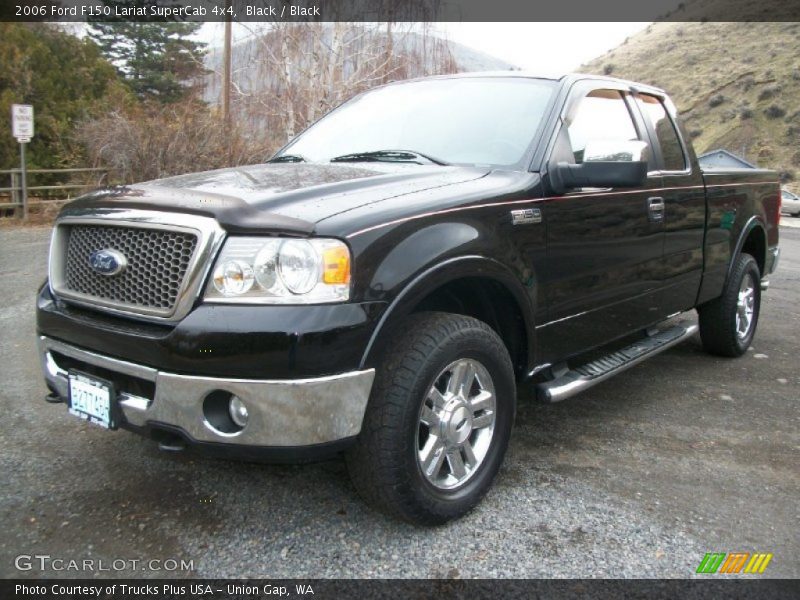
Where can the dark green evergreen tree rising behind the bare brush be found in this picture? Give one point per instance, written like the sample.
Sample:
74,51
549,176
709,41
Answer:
157,60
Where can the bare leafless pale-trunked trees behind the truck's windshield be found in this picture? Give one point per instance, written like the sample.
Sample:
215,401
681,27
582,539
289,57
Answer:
296,72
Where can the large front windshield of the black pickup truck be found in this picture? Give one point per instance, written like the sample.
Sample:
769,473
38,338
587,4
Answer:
463,121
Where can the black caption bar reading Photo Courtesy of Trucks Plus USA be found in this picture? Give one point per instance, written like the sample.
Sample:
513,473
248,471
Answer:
439,589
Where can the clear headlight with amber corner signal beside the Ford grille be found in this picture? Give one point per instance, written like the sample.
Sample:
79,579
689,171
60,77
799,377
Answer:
280,271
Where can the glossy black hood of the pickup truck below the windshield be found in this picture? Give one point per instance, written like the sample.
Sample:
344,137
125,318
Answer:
278,197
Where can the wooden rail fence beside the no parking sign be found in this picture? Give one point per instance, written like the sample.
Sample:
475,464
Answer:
43,194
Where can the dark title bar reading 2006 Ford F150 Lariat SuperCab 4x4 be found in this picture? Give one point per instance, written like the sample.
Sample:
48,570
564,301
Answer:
399,10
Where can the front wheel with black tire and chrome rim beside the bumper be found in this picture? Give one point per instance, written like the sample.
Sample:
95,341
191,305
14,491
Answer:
438,421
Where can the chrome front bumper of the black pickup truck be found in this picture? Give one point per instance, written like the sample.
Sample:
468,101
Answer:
282,413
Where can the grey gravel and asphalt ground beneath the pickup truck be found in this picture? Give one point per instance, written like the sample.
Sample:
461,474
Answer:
638,477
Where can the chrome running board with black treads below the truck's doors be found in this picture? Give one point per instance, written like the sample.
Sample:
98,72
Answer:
582,378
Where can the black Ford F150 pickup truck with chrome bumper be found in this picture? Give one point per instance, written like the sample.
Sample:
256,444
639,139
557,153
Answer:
384,283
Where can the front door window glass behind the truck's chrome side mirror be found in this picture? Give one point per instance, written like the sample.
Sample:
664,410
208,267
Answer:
602,115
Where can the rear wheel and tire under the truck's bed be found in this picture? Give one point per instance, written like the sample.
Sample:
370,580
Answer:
728,323
